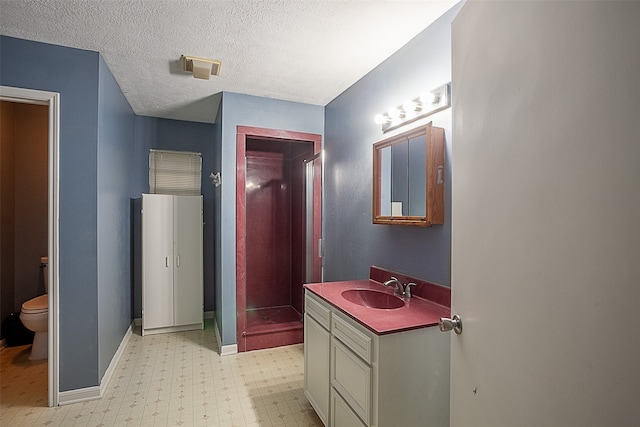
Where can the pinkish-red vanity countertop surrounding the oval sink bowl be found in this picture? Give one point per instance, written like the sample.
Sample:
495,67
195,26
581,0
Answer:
416,313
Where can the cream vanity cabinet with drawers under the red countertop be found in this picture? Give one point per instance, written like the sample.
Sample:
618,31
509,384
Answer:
396,379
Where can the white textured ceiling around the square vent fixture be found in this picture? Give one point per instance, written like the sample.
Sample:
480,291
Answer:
295,50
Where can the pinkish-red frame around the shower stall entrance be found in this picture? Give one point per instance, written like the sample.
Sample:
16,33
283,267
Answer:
242,134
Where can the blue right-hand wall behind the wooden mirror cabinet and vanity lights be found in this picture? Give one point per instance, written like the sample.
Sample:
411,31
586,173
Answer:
352,242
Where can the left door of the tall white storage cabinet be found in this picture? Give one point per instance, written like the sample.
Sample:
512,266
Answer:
157,261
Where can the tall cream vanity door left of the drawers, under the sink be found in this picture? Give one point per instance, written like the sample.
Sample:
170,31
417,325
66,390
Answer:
316,366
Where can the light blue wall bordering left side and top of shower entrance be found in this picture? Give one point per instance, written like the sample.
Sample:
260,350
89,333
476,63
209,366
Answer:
253,111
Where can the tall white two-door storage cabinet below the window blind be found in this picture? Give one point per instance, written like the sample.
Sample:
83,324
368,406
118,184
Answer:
172,270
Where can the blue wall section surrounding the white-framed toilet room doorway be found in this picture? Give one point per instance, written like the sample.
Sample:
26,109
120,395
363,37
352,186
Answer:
73,73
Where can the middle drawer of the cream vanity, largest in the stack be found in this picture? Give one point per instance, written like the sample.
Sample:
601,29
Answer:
351,377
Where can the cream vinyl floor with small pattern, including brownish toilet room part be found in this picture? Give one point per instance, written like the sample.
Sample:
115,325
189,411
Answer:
168,379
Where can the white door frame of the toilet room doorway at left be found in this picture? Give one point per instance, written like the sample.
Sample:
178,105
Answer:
52,101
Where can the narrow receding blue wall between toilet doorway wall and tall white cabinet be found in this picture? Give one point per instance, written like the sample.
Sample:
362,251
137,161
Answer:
116,122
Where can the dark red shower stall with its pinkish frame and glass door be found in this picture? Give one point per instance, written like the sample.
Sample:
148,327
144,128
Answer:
278,234
